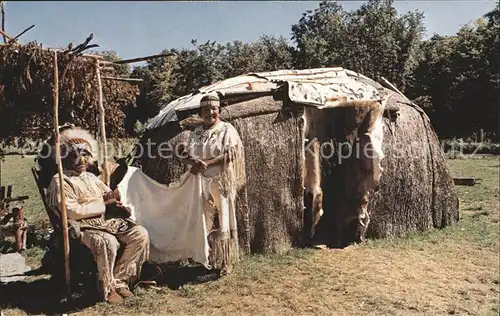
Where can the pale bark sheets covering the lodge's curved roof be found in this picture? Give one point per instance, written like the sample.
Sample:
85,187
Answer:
309,86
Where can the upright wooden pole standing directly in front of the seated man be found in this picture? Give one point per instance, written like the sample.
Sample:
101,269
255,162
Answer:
64,216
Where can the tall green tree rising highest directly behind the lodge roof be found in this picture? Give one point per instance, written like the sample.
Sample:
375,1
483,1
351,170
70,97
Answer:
372,40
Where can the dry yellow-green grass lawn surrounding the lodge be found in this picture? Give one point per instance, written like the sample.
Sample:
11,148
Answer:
453,271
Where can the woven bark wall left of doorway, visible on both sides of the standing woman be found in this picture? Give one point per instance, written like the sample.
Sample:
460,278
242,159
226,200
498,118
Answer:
273,140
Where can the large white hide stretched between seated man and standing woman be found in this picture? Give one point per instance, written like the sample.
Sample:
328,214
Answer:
173,215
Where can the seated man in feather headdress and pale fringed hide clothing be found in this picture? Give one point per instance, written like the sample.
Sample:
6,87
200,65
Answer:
87,199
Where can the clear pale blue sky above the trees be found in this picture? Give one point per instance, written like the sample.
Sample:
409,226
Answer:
141,28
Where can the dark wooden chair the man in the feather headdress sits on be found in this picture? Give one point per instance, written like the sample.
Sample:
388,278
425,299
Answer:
82,265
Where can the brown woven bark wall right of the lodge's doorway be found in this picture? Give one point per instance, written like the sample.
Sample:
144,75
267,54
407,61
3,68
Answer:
417,190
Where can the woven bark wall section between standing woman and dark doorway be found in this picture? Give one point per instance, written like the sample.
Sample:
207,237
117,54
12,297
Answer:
274,155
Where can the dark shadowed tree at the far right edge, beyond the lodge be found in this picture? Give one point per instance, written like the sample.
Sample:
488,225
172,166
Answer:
459,75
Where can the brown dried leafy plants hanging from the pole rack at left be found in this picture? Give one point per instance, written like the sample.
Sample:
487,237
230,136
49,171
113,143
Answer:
26,83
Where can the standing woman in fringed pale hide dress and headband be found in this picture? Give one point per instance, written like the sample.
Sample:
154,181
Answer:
216,152
